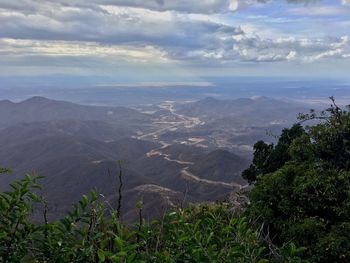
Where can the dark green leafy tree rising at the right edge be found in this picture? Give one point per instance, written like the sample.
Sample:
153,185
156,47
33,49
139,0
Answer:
306,197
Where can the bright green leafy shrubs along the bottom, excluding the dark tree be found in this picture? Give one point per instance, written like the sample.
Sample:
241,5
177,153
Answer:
92,232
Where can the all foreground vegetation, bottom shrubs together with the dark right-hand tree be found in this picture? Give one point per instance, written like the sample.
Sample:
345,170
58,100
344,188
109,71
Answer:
299,211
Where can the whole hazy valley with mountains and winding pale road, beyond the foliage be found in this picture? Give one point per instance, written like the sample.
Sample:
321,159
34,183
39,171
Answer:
173,152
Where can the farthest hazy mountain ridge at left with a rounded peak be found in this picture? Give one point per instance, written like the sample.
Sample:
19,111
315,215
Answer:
38,109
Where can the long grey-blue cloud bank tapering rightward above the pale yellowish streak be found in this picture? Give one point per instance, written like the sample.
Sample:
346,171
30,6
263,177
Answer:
117,26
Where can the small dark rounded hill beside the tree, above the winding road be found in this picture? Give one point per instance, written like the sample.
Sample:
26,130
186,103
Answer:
222,166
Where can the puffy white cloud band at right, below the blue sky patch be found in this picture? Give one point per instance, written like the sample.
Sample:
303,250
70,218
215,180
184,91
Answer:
252,48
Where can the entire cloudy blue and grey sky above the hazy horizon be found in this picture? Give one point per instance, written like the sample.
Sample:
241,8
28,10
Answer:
168,41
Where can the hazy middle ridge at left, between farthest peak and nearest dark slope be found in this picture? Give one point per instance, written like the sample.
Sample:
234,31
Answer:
33,153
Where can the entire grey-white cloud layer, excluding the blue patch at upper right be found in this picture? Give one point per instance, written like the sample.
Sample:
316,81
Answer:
122,32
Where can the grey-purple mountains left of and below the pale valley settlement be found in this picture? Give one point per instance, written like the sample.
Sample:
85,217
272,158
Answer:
76,148
